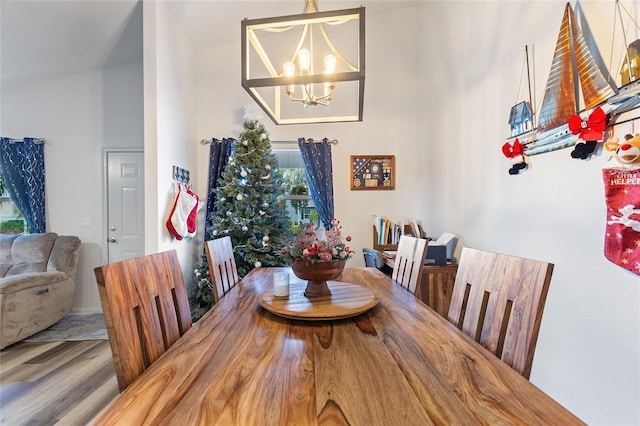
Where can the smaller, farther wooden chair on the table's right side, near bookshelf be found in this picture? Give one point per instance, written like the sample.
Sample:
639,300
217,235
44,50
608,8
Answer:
409,262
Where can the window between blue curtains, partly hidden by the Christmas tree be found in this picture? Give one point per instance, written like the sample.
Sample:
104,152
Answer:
300,206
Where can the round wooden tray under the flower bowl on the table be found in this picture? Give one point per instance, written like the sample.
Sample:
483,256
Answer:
346,300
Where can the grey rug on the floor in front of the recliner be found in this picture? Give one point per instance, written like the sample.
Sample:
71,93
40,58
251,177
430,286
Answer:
73,327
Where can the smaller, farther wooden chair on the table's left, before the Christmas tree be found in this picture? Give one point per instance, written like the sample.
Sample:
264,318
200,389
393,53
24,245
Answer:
222,266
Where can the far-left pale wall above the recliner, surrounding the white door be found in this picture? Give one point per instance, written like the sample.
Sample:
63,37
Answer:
79,115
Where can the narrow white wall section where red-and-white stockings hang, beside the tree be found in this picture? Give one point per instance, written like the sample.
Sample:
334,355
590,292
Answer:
170,126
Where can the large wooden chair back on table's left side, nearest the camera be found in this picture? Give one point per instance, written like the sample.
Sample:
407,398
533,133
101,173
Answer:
146,310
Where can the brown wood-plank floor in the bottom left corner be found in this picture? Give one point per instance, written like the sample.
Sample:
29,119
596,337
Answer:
65,383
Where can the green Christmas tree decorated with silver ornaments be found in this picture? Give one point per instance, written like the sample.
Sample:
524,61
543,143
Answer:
249,207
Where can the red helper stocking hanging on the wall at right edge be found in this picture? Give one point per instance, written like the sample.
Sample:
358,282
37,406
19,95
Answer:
622,237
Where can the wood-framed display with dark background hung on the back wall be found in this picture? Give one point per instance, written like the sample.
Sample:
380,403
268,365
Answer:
372,172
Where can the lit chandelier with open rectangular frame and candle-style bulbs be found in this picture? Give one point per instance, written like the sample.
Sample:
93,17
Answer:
306,68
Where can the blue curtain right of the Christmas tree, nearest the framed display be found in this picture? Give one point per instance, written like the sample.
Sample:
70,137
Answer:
319,170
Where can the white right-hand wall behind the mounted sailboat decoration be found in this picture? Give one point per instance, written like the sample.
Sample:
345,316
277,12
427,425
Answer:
588,352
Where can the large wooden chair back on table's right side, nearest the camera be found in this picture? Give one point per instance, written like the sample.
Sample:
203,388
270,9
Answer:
498,300
